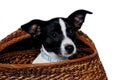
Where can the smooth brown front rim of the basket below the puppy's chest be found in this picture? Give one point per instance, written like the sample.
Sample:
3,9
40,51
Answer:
48,64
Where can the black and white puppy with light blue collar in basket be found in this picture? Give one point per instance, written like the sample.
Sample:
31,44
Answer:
57,36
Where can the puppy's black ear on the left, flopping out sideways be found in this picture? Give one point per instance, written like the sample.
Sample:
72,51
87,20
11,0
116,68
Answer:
33,27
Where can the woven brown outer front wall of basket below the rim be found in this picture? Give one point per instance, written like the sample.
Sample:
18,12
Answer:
74,70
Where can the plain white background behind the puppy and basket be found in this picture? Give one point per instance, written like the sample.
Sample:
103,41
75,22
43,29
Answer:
102,26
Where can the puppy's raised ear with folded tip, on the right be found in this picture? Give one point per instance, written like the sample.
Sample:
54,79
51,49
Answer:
77,18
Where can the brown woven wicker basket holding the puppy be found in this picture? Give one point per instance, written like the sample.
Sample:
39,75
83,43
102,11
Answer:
18,50
